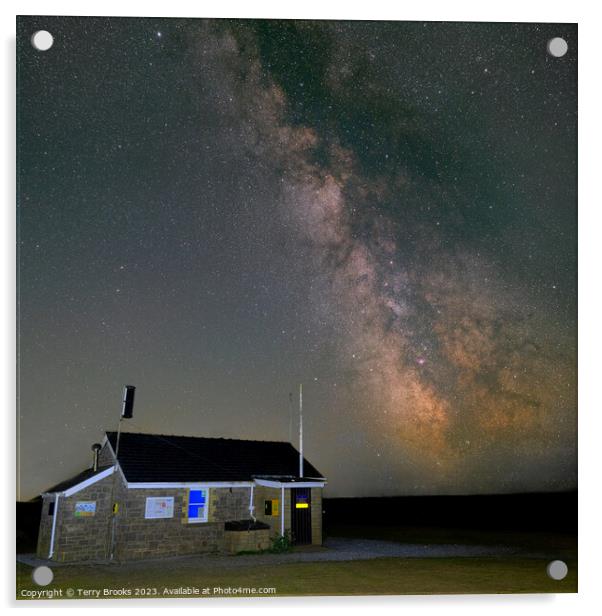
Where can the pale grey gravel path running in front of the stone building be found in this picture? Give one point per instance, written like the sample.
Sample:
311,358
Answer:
334,549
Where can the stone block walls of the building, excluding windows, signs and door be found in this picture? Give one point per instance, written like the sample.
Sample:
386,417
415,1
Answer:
135,537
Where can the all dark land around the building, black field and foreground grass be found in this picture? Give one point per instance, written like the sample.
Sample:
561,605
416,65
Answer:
518,534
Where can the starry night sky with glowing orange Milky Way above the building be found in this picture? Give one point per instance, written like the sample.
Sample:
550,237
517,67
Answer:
218,210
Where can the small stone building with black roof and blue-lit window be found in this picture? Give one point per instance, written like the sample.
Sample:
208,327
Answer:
177,495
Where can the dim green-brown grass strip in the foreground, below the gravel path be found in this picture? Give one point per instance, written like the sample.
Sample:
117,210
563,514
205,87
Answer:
385,576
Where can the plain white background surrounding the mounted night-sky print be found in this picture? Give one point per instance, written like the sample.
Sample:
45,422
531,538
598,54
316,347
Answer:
590,256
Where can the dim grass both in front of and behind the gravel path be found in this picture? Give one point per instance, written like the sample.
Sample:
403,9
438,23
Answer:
383,576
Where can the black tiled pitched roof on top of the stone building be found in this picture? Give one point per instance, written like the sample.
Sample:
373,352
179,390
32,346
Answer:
165,458
